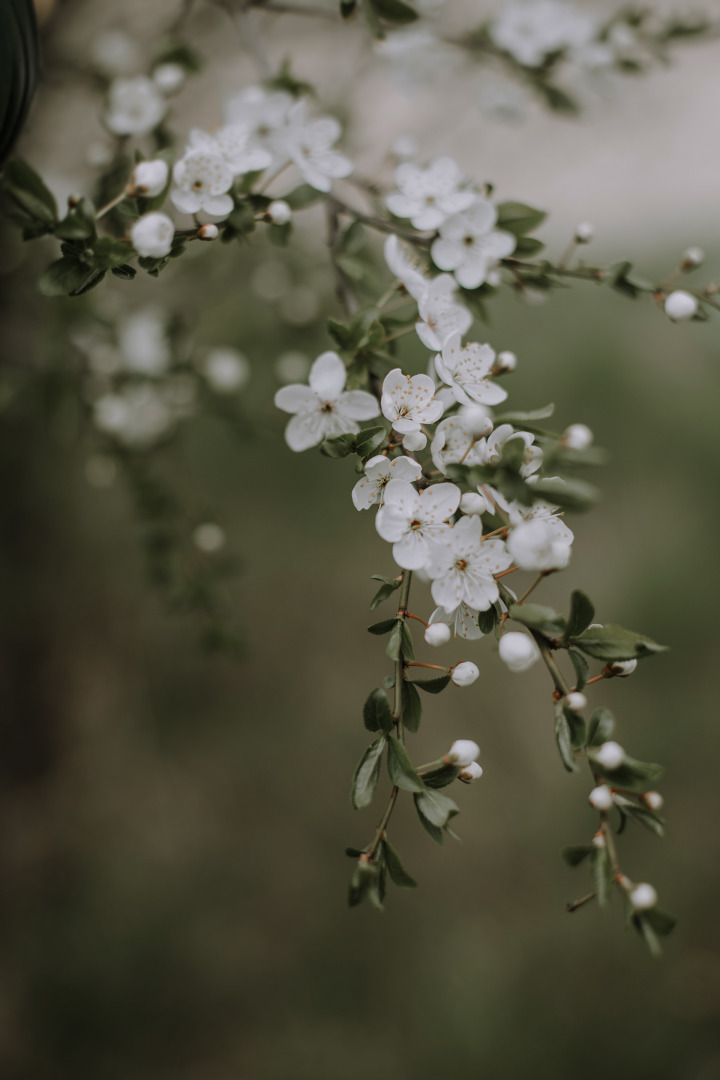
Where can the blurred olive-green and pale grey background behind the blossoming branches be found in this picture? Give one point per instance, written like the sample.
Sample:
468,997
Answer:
172,826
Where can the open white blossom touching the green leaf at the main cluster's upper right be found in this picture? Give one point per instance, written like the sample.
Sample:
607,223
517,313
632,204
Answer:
470,246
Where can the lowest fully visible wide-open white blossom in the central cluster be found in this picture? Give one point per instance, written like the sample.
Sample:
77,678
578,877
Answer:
463,566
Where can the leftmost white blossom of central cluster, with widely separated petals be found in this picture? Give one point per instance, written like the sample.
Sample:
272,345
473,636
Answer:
324,409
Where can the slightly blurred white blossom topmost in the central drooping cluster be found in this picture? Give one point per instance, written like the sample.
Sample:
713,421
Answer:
428,197
